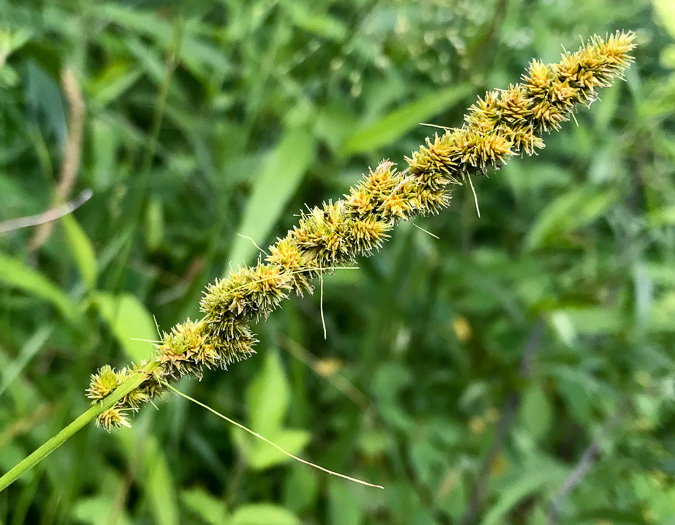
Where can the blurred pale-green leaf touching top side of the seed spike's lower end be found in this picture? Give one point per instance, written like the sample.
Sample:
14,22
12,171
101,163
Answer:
130,323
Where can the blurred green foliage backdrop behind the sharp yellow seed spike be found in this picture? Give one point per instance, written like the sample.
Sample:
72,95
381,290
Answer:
517,370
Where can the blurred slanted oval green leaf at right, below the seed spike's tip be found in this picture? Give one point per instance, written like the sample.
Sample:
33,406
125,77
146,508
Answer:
571,210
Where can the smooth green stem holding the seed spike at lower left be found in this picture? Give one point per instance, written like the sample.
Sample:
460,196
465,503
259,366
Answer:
56,441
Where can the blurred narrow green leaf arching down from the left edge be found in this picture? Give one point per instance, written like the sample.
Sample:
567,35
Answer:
14,273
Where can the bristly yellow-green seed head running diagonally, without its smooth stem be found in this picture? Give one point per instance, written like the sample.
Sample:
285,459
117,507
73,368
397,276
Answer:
501,124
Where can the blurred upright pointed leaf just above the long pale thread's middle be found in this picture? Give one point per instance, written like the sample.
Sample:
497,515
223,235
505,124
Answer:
268,396
